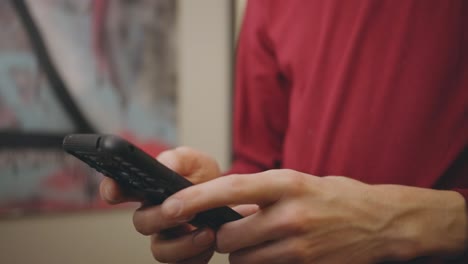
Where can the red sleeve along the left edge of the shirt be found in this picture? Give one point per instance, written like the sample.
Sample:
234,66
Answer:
261,97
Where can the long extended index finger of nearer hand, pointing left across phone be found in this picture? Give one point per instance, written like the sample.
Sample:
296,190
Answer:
261,188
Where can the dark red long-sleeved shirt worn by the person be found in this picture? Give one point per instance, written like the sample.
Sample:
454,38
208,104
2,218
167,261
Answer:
373,90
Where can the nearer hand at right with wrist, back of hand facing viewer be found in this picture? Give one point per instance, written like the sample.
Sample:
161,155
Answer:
301,218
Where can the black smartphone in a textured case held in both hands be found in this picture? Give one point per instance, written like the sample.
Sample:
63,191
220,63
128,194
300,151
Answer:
138,174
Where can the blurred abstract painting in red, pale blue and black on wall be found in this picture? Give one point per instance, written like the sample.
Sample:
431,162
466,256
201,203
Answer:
67,66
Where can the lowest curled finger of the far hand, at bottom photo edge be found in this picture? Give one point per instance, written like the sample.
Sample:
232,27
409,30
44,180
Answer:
182,248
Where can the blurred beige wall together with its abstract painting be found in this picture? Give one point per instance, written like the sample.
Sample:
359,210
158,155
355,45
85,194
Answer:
157,72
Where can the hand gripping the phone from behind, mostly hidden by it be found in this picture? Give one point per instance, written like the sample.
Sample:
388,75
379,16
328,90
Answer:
175,242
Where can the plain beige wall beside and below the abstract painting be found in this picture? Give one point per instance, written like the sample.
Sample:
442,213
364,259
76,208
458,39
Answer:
109,237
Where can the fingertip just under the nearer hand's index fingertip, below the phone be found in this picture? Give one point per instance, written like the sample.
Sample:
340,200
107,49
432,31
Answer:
149,220
